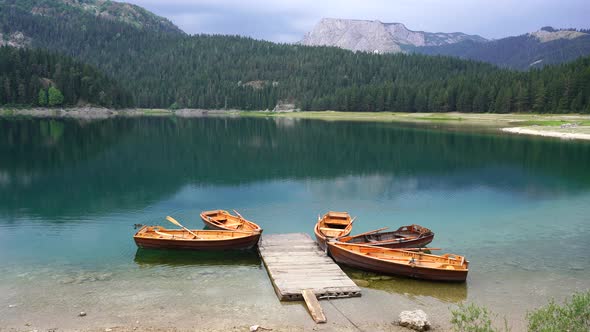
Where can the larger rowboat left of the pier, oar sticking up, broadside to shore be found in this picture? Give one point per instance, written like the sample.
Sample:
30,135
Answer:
160,237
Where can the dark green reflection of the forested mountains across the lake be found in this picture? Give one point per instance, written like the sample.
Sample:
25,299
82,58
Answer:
71,167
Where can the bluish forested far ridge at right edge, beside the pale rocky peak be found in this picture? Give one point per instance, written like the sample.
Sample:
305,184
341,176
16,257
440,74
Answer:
536,49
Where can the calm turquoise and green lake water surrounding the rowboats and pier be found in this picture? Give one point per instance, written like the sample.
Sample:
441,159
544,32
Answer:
71,191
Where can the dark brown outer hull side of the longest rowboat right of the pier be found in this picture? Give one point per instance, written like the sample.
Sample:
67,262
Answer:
391,268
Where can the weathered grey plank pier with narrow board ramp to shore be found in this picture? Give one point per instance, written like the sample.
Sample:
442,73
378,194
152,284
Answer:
295,263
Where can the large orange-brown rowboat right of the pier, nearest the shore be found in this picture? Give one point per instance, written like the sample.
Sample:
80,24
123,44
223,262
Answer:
447,267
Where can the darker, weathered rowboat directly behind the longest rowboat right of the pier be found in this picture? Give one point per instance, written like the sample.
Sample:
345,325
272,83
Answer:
404,237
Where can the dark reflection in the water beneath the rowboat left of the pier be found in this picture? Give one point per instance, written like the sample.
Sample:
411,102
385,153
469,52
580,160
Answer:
163,257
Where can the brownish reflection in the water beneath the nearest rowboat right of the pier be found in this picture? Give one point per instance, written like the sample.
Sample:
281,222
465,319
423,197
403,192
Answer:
447,292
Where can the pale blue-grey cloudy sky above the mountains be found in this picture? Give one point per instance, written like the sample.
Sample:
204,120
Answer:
288,20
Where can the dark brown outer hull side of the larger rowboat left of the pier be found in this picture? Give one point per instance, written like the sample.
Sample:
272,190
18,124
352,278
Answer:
246,242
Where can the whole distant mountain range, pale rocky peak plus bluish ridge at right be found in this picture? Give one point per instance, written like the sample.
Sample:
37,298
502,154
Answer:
536,49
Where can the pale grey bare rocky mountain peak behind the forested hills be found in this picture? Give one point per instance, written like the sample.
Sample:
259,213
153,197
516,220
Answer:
375,36
